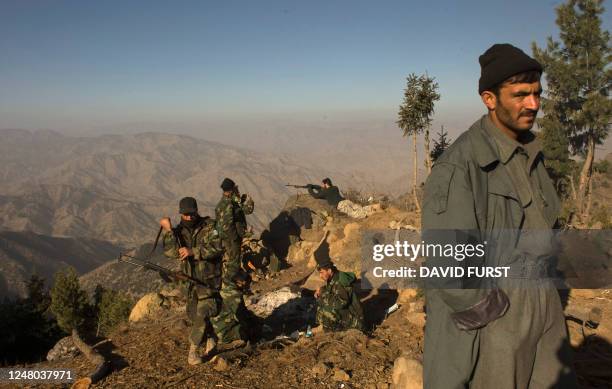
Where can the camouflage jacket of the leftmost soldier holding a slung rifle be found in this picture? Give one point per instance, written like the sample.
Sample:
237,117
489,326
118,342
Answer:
204,241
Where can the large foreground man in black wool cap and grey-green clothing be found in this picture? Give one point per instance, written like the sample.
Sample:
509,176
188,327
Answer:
491,185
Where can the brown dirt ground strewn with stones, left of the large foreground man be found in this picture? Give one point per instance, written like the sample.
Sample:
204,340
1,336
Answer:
153,353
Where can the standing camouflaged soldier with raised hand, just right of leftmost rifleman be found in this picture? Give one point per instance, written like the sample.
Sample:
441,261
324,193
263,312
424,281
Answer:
231,224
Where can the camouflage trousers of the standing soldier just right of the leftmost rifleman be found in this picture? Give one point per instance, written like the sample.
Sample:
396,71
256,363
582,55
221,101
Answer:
226,324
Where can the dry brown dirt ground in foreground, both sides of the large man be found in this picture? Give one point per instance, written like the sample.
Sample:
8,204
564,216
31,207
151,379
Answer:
153,354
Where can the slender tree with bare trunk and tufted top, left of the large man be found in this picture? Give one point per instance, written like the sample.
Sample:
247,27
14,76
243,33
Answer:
415,115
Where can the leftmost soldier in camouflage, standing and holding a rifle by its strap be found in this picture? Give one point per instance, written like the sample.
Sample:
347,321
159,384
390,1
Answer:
196,243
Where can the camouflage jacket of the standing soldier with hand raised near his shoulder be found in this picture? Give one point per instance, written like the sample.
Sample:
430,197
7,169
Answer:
231,220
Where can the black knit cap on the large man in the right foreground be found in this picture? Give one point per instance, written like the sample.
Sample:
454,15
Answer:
502,61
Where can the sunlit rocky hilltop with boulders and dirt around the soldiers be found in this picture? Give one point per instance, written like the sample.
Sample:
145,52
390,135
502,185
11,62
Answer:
150,351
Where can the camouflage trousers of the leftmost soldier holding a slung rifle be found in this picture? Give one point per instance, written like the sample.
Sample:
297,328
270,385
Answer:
200,311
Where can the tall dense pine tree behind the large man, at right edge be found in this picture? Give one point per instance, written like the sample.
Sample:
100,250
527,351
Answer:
576,106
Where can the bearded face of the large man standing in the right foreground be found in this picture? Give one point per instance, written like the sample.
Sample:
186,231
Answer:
517,105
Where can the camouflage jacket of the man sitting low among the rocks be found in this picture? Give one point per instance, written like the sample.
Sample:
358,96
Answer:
339,306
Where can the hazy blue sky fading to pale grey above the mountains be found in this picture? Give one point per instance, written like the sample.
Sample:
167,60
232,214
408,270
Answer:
107,65
